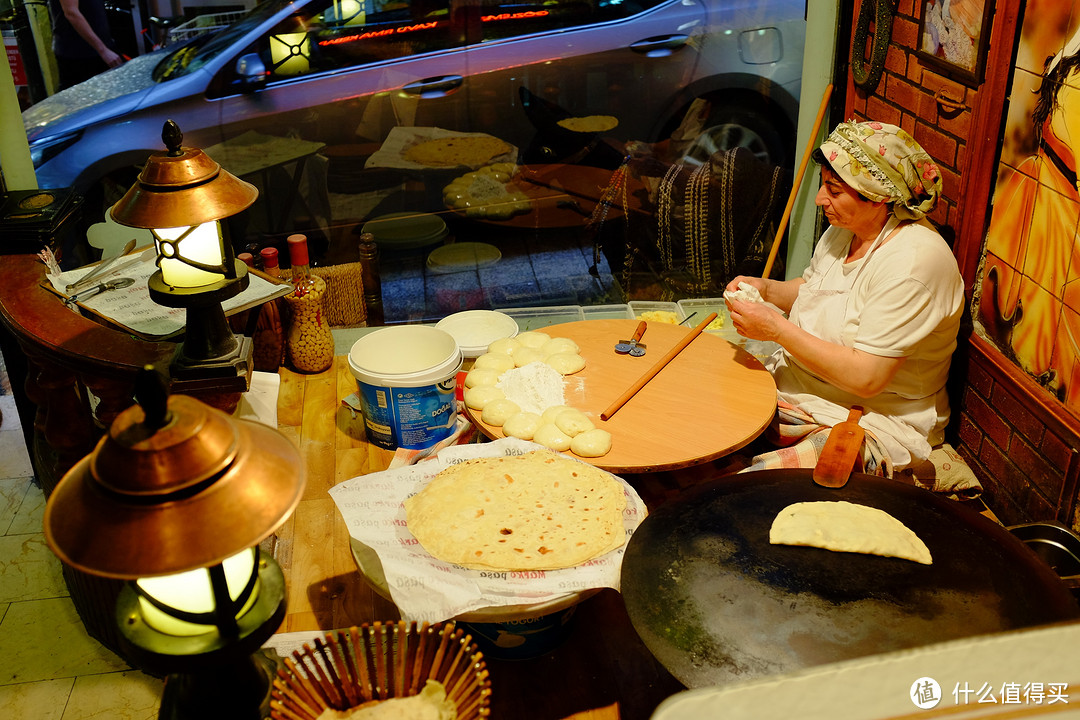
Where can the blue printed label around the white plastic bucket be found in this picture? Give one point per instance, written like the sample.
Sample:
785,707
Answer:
414,418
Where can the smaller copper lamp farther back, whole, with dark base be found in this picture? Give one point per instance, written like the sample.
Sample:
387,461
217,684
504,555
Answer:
181,196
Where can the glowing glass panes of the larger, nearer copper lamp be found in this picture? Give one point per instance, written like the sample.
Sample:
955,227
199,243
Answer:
191,592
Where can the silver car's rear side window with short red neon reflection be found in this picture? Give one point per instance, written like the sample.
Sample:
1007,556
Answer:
507,19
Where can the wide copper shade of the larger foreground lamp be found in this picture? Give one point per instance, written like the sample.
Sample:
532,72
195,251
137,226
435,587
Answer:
172,488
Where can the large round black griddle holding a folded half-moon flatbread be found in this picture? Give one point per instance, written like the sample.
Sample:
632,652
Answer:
715,603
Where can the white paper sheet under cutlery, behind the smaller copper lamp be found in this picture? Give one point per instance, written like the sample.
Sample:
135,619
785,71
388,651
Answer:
131,308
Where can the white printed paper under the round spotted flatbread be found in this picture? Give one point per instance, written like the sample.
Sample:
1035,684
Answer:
428,590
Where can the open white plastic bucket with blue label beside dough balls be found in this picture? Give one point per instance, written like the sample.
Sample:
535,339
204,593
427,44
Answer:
406,377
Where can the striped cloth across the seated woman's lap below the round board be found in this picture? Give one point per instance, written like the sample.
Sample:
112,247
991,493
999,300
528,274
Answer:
800,441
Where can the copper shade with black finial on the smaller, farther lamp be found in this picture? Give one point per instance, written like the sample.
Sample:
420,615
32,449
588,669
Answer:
182,187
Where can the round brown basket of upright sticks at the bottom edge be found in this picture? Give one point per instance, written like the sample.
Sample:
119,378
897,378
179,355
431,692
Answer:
382,661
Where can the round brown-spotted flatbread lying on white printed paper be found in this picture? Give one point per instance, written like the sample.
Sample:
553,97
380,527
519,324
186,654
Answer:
539,511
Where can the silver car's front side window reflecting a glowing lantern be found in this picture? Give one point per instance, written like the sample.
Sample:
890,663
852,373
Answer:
343,34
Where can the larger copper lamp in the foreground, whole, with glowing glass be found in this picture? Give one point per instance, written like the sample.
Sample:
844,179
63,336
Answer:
175,500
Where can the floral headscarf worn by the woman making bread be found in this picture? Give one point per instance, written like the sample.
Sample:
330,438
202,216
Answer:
884,162
